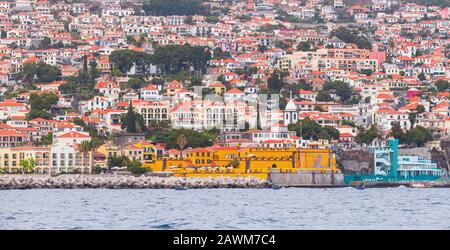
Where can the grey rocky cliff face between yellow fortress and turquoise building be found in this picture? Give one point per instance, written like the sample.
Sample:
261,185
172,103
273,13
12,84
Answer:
355,161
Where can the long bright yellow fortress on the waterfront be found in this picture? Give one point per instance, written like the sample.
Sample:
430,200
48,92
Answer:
236,161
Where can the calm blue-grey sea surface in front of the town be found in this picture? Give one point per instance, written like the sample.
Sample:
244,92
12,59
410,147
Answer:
289,208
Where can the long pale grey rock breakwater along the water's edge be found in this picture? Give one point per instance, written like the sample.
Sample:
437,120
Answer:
125,182
